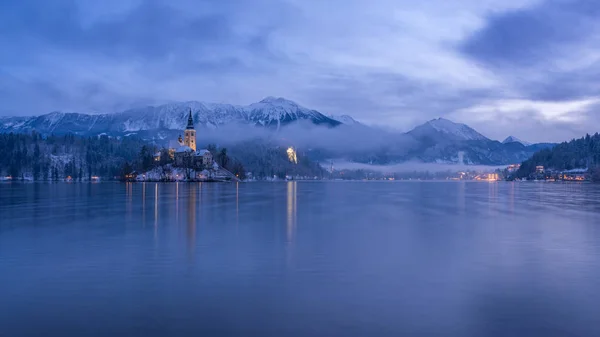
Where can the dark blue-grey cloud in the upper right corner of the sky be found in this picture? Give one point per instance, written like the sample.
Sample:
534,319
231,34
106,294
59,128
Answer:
541,51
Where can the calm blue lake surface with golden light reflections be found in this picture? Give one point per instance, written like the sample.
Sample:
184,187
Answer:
300,259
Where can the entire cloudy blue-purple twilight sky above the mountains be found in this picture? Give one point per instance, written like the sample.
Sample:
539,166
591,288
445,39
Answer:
530,68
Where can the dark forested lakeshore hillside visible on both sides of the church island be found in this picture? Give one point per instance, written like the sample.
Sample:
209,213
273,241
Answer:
53,158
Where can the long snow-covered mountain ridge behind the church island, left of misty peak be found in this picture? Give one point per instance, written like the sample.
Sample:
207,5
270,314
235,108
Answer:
270,112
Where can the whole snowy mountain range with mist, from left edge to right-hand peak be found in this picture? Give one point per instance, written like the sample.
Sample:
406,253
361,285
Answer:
438,140
